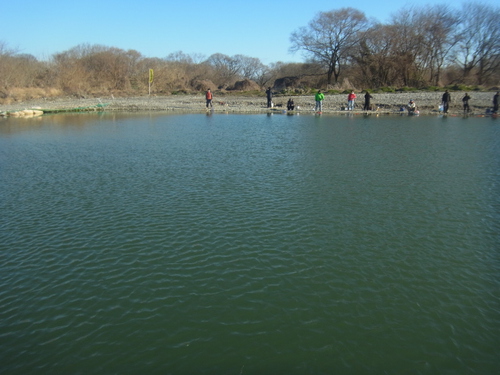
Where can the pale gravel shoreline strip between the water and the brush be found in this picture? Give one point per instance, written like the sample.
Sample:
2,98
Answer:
388,103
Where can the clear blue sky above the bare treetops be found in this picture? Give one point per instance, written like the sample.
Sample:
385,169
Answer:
157,28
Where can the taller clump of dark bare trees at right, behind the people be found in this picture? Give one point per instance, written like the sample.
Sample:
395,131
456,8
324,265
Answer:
432,45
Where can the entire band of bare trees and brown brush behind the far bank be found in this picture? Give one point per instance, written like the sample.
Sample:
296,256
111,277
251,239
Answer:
420,48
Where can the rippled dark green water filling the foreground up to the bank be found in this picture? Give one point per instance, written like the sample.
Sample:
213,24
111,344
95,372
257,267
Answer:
249,244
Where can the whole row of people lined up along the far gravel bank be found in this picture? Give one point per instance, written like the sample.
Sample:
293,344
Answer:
351,99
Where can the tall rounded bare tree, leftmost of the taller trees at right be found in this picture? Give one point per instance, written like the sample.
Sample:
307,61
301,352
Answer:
329,38
